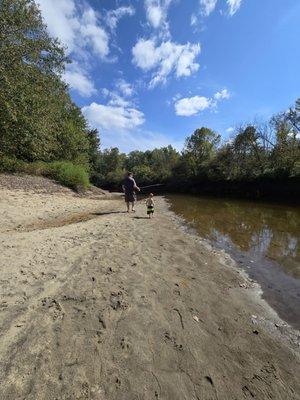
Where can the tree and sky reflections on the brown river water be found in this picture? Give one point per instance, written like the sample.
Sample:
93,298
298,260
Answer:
263,230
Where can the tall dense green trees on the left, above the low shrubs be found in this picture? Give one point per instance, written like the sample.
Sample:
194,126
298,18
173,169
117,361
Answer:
38,120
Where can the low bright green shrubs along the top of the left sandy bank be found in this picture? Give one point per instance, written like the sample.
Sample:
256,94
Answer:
65,172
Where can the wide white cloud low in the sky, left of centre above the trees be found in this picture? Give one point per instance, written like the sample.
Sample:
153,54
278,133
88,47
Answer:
113,117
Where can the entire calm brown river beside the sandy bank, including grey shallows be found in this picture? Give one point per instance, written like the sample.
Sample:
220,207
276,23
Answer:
263,238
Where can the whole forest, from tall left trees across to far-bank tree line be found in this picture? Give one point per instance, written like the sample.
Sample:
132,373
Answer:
42,131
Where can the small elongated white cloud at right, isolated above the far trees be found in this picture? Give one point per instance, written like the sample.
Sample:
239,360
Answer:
189,106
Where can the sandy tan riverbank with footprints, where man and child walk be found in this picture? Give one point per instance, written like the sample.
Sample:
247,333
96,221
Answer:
99,304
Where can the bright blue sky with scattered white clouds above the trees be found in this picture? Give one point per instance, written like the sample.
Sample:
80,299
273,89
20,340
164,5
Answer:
147,73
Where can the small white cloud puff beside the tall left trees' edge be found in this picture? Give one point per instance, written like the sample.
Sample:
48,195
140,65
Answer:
77,79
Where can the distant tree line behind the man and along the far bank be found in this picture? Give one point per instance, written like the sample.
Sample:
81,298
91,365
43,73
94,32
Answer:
256,152
